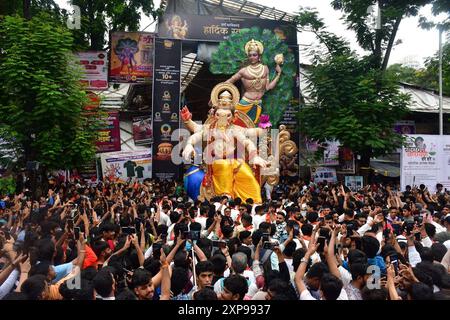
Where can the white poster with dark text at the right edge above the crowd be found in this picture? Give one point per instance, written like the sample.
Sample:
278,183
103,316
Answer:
425,159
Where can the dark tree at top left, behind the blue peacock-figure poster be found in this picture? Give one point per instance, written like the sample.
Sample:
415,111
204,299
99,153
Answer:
98,17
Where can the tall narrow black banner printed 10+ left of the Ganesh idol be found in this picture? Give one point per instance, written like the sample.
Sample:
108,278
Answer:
166,109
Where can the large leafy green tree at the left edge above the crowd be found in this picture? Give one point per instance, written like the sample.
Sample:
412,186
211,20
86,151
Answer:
42,98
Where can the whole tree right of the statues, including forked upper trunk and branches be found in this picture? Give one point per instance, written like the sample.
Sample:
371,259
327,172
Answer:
353,100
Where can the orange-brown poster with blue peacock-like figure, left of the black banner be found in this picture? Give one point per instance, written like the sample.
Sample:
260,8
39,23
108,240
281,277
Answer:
131,57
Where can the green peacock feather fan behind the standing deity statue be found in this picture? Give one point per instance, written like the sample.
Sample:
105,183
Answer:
231,57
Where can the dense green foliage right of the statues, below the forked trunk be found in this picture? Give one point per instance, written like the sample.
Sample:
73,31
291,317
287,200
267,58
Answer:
354,100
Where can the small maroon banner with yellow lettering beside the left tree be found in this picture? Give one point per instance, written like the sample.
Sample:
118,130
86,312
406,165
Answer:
108,138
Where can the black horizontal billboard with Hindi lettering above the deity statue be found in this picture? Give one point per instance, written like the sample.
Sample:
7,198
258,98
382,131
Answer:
218,28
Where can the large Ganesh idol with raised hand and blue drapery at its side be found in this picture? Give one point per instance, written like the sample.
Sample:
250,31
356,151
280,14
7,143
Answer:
230,154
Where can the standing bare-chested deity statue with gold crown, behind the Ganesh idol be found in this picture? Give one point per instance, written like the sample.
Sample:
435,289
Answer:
255,80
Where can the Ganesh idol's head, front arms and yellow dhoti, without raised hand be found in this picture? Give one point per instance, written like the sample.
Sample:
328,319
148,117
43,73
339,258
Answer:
227,173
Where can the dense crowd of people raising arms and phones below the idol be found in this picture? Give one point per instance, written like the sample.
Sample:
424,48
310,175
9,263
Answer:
148,241
